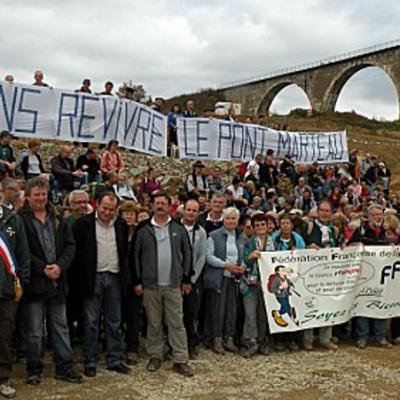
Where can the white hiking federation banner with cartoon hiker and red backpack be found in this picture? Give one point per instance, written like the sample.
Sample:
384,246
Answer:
311,288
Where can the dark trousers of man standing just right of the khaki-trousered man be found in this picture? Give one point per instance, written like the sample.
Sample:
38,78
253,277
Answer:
191,308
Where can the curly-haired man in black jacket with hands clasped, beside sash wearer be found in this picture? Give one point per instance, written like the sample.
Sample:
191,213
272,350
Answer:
52,249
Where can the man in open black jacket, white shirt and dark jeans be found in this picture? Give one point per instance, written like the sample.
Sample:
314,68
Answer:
101,256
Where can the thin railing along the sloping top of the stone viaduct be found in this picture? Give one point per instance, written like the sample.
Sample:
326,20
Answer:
313,64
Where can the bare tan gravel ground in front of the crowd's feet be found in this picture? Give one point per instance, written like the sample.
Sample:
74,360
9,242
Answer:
346,374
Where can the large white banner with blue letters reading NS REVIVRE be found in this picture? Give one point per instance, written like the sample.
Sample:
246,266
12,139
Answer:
48,113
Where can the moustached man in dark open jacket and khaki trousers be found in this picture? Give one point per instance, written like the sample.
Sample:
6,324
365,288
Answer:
161,263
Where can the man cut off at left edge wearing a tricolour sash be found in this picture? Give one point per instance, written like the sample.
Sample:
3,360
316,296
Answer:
14,273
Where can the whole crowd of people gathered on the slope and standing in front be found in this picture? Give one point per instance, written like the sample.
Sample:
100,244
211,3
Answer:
89,260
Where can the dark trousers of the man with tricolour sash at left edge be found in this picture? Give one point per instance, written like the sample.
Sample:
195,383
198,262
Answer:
7,308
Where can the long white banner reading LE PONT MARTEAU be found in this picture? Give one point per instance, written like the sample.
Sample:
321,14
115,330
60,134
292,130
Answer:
203,138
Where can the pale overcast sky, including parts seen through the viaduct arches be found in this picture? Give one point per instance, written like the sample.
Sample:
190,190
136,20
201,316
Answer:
176,46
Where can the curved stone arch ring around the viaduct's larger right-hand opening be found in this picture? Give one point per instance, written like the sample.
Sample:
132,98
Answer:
332,93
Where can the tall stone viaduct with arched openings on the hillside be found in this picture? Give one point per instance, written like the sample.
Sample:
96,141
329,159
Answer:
322,80
